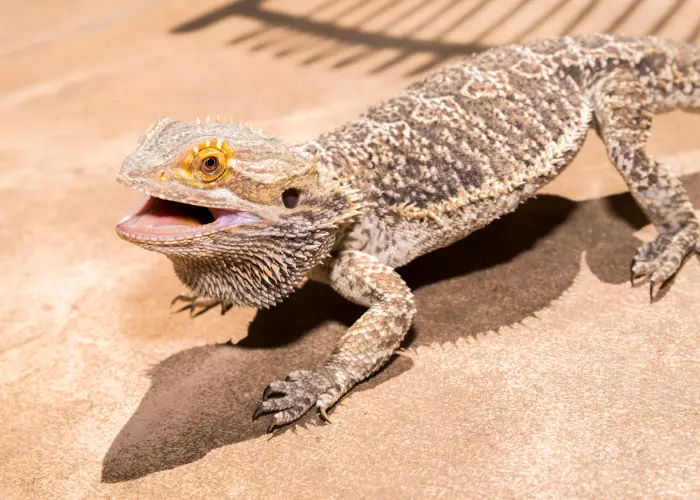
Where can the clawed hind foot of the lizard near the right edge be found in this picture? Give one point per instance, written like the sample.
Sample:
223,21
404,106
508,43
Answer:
659,260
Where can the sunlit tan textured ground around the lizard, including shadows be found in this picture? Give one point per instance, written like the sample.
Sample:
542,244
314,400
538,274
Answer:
534,369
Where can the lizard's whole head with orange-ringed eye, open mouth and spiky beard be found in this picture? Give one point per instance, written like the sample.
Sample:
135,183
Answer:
242,216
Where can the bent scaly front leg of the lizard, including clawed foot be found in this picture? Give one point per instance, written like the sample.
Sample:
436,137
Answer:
364,348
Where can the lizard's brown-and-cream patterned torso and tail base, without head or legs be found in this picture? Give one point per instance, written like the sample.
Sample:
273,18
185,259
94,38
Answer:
475,139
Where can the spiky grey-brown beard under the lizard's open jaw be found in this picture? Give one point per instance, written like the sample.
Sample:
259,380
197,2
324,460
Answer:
258,269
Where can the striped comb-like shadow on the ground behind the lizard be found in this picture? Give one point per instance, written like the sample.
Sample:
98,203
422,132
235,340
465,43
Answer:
349,32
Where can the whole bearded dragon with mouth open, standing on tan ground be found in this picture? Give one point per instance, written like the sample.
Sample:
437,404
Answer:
247,218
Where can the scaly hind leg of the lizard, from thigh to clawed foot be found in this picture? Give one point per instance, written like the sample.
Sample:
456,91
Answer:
623,114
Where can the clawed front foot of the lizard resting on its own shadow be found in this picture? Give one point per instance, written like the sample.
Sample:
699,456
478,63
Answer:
290,398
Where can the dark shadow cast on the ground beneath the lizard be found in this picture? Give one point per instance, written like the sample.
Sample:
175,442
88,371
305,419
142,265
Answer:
202,398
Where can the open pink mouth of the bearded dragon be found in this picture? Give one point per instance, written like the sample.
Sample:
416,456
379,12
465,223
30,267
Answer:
156,219
